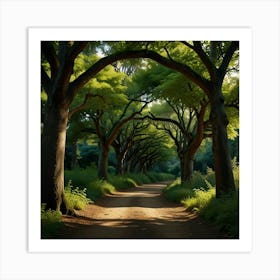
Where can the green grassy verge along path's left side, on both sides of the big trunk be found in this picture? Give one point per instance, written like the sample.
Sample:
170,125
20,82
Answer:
84,187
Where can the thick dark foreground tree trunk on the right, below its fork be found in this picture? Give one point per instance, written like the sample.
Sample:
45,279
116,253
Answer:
221,151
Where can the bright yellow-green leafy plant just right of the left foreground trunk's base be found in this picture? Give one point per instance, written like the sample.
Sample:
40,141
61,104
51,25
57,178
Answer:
76,199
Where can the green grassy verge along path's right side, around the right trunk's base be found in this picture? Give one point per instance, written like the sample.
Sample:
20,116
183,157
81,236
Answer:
199,195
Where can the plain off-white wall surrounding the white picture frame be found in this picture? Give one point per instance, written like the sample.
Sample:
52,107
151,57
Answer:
262,16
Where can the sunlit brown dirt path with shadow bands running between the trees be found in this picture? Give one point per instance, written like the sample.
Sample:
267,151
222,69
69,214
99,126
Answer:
137,213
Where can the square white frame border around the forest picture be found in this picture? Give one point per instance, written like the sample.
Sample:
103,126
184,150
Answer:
243,35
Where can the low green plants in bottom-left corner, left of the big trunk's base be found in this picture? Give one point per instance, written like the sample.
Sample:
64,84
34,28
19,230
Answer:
51,222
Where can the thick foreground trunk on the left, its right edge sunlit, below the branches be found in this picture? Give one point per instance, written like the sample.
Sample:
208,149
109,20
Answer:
52,157
